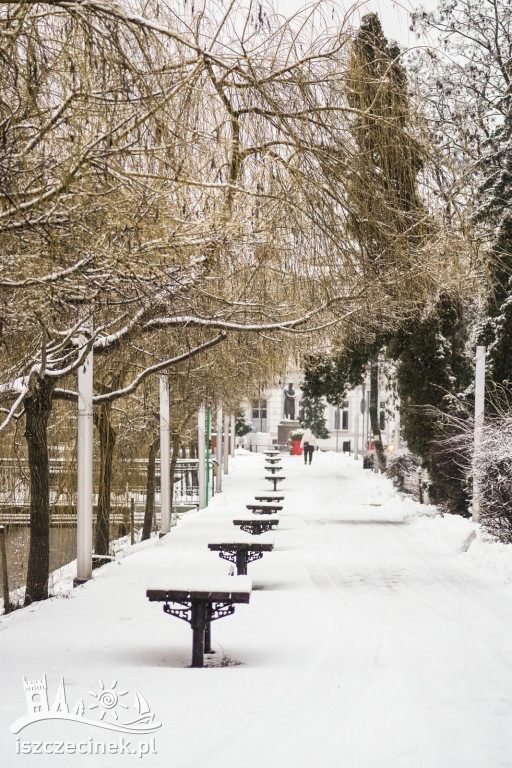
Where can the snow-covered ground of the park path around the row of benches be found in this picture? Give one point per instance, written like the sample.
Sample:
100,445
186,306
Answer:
377,636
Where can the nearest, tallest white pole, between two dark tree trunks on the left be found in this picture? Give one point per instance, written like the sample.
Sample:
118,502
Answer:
84,472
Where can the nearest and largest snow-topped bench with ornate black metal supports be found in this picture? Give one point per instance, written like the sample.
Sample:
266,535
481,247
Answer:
201,603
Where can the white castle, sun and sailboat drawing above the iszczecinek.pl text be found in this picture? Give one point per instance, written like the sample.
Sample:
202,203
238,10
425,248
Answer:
108,708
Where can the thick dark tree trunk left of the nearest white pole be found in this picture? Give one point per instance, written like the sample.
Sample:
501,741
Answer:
38,406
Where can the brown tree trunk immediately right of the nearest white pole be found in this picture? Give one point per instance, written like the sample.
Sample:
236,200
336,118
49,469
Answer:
107,437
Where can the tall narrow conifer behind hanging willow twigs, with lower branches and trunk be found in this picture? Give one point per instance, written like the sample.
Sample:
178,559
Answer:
386,217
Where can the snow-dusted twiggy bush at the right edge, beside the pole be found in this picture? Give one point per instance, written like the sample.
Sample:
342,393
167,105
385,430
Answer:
492,464
